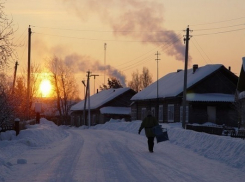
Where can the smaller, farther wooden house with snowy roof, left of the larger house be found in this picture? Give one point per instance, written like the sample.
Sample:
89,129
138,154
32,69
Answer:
104,105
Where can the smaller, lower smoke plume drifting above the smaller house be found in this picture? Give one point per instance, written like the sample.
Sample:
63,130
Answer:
85,63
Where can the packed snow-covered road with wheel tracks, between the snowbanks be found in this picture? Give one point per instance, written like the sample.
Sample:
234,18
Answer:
91,155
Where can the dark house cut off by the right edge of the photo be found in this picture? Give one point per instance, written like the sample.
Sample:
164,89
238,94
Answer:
240,97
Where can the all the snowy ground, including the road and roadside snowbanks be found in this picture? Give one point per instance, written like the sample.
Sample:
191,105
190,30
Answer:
115,152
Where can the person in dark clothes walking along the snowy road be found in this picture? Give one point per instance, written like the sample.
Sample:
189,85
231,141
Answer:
148,123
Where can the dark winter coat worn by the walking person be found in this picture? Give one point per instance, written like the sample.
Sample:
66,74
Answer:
148,123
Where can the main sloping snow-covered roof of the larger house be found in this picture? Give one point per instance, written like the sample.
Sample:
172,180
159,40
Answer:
172,84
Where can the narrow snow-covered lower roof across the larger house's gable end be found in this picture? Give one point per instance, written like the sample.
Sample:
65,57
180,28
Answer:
210,97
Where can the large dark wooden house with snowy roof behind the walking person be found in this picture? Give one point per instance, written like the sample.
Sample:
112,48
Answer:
210,96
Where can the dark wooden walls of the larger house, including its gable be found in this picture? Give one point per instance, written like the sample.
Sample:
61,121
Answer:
221,81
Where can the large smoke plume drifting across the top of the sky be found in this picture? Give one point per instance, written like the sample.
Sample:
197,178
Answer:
140,20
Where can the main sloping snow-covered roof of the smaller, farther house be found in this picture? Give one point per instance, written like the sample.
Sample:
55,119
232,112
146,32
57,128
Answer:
100,98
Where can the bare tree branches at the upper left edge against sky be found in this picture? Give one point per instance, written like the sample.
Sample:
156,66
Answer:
6,37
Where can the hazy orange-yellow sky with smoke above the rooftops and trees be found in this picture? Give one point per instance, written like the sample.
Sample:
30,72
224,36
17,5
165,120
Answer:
134,30
